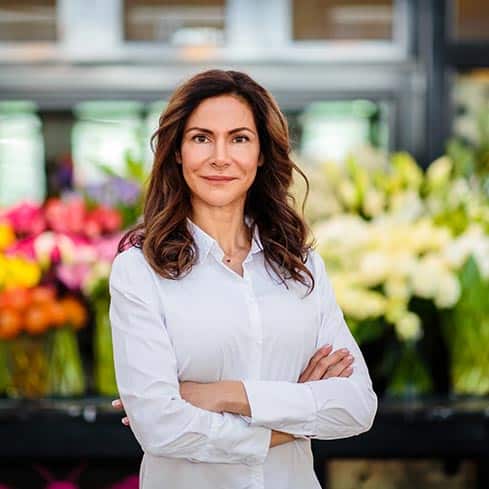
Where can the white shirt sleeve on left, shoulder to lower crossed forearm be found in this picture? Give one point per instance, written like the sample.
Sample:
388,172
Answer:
164,423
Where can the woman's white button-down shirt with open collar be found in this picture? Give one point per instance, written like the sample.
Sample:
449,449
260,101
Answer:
214,325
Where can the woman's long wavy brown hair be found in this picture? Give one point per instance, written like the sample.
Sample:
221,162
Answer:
166,242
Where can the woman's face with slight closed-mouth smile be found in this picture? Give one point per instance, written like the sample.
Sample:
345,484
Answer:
220,151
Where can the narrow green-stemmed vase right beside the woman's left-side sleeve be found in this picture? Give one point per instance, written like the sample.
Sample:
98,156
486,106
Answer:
105,382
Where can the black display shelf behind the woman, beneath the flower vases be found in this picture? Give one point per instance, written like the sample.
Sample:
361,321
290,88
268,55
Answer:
64,429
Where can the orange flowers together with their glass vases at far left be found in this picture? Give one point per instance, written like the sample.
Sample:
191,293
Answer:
40,354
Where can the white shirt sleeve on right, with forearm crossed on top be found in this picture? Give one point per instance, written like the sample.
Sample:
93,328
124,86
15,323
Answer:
336,407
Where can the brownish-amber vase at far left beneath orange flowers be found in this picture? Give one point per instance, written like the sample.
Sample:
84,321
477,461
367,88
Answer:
27,360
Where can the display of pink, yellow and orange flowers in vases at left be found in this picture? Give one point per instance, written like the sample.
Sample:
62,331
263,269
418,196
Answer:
51,254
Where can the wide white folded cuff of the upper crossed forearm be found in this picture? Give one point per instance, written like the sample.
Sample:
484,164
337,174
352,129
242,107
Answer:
280,404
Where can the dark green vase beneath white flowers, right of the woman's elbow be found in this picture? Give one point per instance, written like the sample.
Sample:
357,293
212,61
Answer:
410,377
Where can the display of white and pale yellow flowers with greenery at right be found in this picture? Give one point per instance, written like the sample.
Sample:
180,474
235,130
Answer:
408,253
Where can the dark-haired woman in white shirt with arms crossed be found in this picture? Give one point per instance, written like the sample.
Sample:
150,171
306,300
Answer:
230,350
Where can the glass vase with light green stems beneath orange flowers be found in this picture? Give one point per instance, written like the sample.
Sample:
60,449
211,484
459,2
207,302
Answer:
66,376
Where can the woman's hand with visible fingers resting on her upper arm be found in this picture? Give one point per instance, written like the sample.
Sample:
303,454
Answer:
322,365
